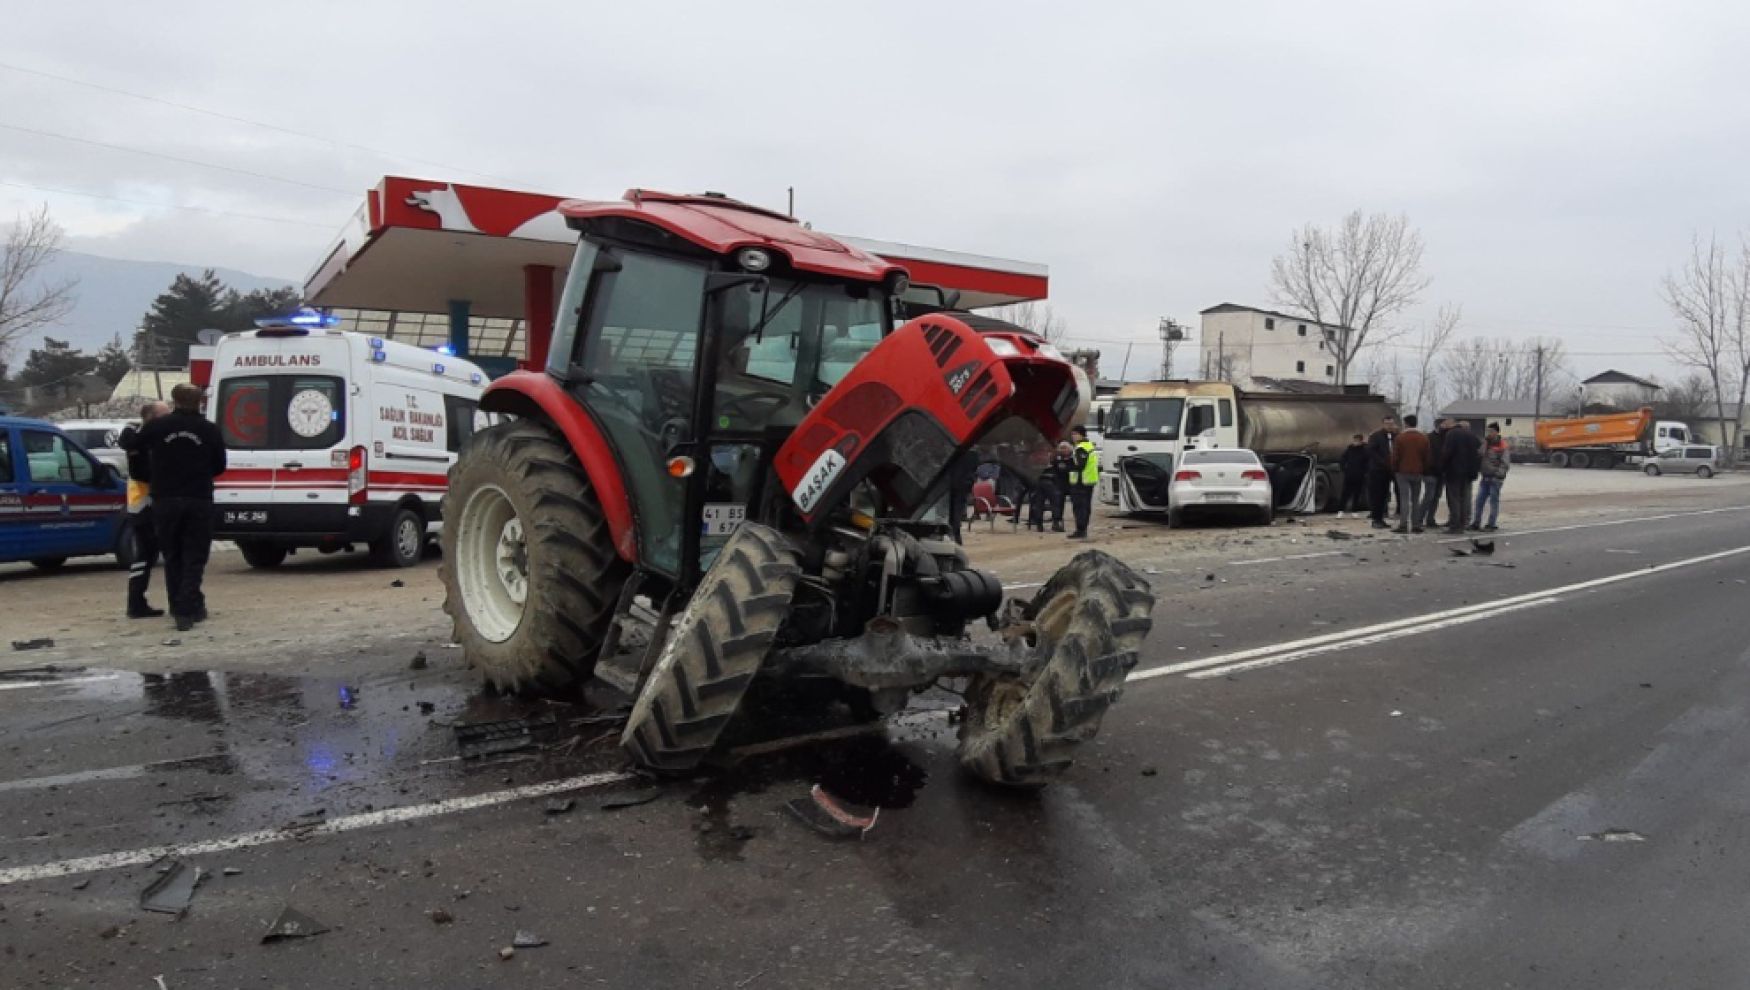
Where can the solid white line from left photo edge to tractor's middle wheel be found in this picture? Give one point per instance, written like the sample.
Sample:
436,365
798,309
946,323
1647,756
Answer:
333,826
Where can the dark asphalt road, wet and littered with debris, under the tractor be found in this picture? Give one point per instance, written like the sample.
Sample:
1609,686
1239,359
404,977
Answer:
1382,767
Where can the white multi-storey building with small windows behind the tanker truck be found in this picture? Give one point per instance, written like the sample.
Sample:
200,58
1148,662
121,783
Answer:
1240,344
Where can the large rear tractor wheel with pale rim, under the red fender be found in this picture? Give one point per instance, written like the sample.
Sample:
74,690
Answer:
529,569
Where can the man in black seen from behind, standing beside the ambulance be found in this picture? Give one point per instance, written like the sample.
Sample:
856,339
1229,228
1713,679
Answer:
186,454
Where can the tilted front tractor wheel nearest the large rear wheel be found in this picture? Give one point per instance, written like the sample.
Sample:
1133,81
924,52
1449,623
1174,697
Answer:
715,652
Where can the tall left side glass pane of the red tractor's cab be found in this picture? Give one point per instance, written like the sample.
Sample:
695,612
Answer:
640,354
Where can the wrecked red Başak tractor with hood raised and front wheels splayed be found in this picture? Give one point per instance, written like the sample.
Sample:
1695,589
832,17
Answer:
734,449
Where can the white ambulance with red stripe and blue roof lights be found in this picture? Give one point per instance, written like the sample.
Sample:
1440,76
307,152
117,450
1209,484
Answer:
335,440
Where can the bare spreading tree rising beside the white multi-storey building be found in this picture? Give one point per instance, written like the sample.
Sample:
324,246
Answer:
1352,279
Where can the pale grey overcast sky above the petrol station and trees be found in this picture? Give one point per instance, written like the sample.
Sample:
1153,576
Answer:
1152,155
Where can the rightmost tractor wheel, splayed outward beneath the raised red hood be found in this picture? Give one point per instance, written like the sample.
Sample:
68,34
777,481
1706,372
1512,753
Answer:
1088,624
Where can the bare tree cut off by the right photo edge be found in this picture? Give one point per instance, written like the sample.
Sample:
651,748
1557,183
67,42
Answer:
1707,296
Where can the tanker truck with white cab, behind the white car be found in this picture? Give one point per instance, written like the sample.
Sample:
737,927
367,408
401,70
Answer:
1154,422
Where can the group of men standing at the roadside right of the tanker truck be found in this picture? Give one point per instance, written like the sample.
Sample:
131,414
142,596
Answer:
1420,468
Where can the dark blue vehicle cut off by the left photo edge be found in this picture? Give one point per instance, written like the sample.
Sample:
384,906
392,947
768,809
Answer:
57,501
